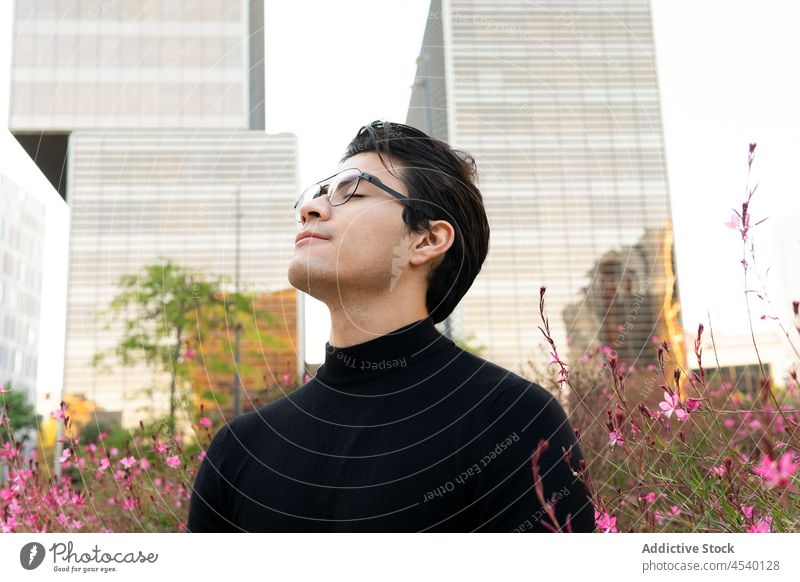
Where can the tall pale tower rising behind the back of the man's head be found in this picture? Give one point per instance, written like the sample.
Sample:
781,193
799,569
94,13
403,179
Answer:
559,104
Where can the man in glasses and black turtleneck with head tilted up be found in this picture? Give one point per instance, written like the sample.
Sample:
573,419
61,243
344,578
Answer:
400,429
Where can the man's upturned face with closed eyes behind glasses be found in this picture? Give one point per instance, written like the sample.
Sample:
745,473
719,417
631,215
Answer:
366,249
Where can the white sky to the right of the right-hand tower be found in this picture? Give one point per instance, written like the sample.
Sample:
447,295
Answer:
729,76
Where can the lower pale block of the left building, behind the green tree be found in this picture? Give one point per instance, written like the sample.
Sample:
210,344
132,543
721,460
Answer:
141,198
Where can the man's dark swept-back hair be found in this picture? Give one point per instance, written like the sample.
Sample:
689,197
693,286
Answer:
445,180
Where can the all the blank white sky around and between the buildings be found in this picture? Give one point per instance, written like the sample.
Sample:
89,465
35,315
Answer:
728,76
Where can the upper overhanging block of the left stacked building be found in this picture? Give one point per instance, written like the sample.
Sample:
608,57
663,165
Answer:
94,64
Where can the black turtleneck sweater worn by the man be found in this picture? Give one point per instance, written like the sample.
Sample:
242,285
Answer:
406,432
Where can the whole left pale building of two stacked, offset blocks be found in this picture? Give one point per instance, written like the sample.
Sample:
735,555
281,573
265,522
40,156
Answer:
148,117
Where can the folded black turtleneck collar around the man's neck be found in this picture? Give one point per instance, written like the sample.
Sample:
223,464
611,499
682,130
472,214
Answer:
394,351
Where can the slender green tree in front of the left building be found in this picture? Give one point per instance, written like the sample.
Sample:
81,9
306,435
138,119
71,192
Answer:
158,307
